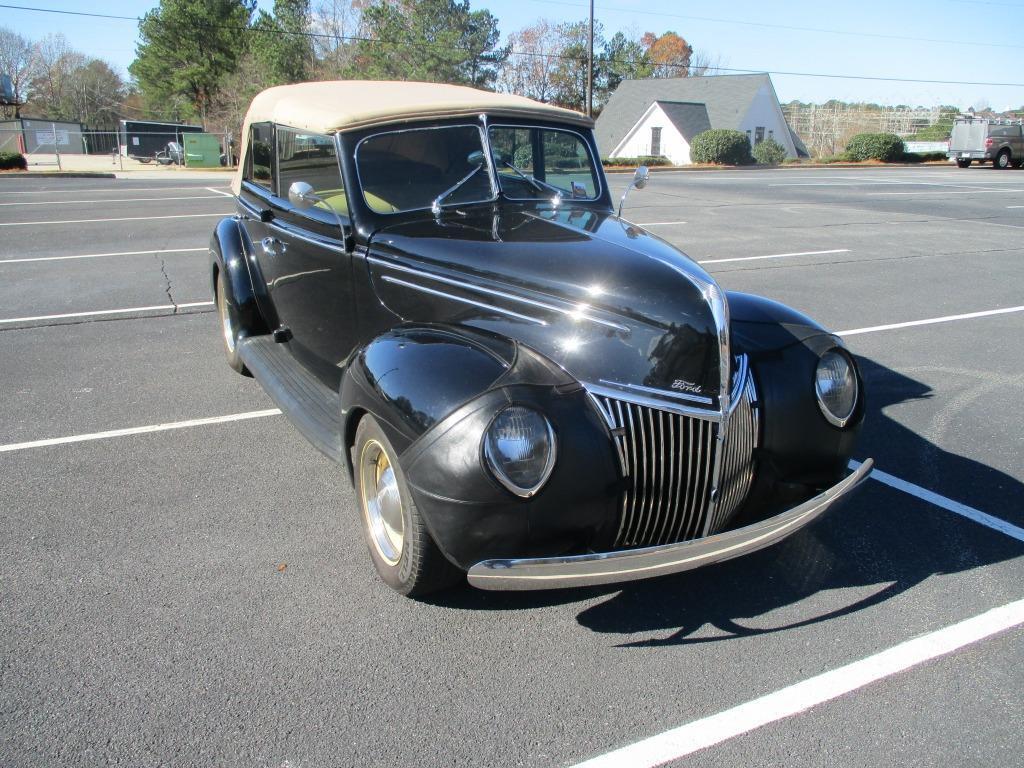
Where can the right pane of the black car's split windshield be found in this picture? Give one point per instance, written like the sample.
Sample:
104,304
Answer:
536,163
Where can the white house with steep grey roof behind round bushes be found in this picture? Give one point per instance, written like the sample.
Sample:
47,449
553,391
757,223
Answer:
661,116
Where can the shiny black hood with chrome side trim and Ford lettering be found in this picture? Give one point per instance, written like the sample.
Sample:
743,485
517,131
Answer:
613,305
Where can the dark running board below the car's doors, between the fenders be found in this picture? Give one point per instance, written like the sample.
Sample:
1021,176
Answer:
313,408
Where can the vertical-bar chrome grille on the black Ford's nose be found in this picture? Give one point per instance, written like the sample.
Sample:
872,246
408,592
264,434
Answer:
669,461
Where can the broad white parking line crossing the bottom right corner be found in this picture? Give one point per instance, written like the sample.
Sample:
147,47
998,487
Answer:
806,695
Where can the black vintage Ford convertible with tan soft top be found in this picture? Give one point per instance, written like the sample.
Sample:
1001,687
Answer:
435,286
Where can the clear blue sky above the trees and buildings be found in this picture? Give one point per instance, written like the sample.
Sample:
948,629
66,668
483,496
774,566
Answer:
988,42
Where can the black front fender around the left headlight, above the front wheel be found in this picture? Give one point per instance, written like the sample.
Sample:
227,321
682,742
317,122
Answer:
435,391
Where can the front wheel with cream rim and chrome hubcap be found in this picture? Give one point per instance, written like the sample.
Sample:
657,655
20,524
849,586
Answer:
401,547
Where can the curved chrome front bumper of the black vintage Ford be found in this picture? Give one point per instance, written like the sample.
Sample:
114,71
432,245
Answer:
628,566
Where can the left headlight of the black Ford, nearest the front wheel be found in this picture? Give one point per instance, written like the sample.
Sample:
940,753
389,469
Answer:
520,448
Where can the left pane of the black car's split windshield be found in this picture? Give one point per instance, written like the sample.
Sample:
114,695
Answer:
409,170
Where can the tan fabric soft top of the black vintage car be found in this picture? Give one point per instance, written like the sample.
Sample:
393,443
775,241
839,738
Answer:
339,106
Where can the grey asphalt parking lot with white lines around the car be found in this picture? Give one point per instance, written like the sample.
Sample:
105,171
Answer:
202,595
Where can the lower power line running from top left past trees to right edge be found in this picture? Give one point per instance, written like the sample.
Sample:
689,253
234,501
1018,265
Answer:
563,57
